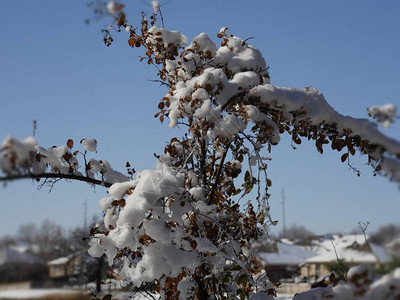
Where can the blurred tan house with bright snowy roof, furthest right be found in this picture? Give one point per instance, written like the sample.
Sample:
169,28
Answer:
351,249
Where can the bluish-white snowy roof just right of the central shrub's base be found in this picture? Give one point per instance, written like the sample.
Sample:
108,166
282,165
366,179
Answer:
286,255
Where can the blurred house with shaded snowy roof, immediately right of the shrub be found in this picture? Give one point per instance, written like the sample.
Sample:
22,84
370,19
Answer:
281,260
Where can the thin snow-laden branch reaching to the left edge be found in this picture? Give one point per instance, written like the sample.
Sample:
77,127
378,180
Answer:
22,159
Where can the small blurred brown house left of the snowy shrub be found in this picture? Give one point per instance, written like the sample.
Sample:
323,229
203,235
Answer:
64,268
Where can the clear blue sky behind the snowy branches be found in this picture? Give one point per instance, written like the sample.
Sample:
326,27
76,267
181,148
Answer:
56,70
